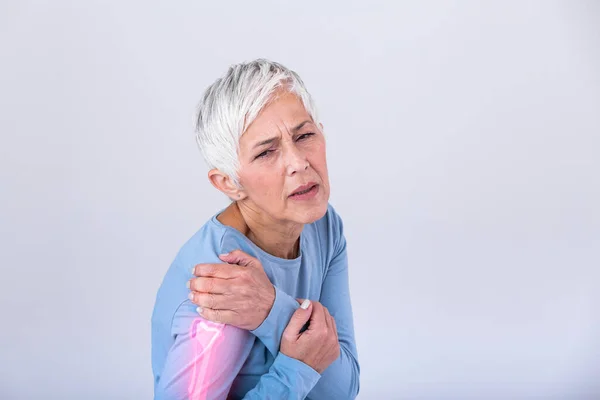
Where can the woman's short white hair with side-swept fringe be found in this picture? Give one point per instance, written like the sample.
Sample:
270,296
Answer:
232,103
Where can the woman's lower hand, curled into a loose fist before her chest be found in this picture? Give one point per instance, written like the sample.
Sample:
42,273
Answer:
318,345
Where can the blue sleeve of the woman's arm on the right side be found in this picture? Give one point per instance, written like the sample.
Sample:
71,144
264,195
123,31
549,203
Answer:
341,380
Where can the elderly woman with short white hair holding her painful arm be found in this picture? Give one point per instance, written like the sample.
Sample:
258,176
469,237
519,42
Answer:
256,304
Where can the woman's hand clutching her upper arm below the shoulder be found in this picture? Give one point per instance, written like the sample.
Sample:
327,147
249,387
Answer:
240,295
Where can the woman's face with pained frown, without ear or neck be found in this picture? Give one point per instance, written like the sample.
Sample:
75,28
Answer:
281,151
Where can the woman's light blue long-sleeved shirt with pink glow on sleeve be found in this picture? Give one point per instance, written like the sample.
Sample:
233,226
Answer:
196,359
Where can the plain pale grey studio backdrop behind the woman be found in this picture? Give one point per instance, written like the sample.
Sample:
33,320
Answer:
464,155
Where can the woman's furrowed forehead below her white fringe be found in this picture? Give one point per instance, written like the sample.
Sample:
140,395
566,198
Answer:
286,110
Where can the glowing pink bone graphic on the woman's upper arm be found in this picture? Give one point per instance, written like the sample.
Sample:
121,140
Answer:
205,336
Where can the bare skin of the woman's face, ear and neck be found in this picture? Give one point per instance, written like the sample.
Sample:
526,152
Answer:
268,174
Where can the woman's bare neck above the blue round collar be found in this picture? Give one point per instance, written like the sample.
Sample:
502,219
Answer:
274,237
